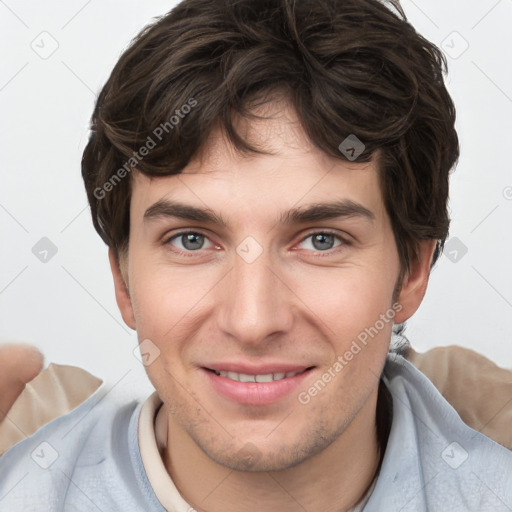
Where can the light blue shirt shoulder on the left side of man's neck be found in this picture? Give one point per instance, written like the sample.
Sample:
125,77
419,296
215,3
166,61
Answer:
74,458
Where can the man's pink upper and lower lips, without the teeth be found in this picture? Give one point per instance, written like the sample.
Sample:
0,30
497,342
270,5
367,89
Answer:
256,393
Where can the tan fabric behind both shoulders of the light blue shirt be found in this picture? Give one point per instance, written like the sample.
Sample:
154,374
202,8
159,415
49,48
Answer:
479,390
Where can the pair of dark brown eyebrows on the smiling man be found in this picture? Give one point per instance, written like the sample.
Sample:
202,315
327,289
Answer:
300,215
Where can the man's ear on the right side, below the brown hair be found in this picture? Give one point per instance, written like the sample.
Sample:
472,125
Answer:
414,284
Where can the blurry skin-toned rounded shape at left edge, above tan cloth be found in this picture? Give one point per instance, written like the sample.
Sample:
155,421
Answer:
19,364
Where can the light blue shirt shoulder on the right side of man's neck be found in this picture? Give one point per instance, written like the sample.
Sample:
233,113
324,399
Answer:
433,460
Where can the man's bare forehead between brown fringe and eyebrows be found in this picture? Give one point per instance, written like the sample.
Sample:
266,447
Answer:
295,172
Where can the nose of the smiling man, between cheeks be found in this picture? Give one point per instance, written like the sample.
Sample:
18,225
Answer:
255,304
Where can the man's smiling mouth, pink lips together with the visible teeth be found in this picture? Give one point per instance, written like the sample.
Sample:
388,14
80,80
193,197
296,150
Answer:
255,387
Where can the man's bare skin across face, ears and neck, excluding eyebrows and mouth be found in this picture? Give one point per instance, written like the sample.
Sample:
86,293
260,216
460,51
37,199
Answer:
297,303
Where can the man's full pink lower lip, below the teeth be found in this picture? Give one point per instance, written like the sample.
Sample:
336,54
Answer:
255,393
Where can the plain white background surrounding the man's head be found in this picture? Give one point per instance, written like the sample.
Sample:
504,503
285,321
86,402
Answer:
66,306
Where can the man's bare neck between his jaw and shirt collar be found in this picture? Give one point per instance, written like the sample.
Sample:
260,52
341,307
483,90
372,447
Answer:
335,479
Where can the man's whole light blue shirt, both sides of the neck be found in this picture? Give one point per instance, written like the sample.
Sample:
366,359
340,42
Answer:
89,459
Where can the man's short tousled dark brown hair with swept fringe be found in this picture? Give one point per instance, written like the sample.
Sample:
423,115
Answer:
349,67
